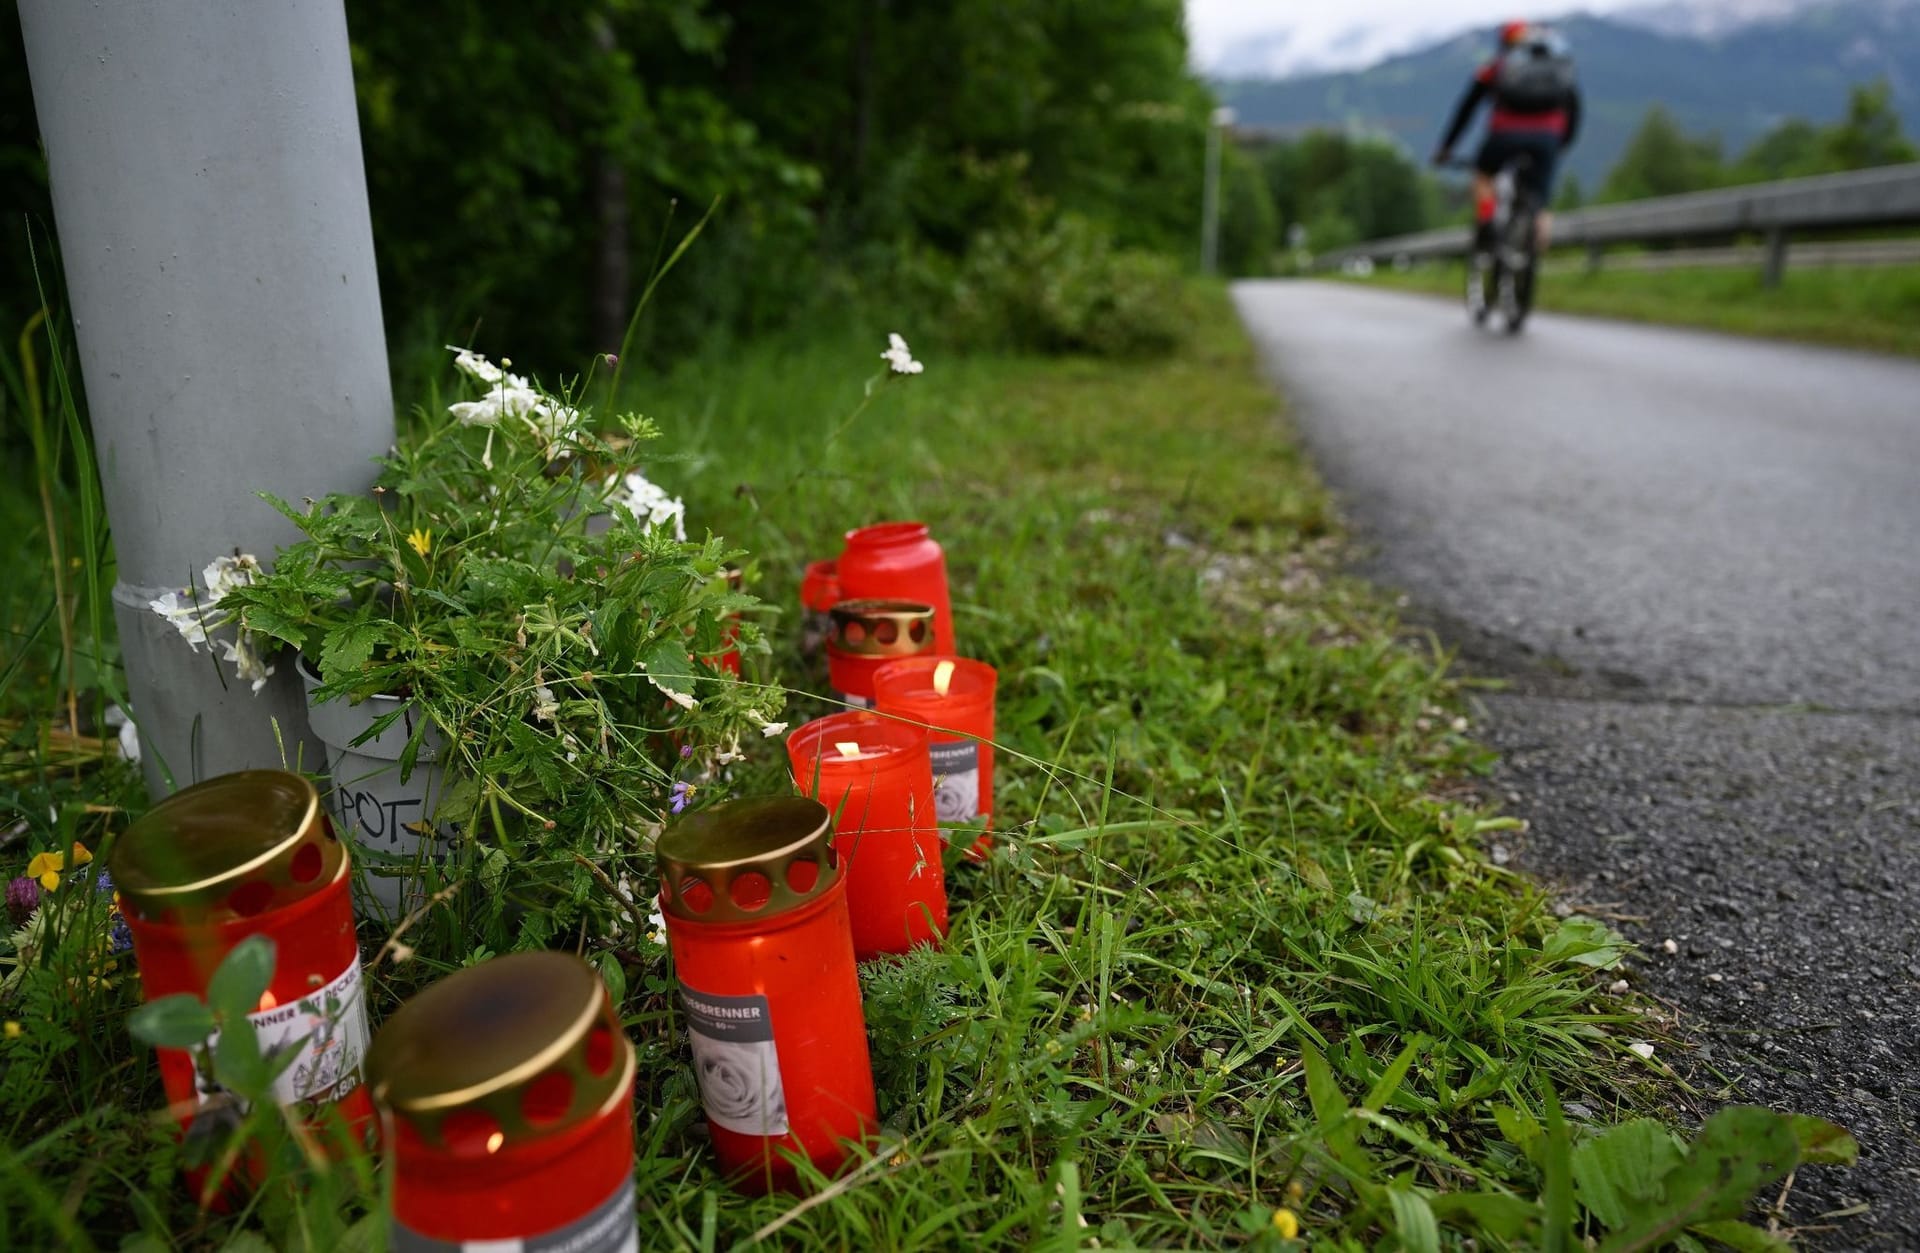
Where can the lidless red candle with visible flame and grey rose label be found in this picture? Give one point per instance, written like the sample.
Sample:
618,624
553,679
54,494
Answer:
953,699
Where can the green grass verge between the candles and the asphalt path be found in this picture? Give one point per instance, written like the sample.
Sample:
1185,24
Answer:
1237,974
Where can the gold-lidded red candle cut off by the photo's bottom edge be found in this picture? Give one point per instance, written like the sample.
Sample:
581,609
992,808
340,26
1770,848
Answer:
506,1099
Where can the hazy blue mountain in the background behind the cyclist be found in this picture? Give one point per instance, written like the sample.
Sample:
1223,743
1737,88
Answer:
1733,68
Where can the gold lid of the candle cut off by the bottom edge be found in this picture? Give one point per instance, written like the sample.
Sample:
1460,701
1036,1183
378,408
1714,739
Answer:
502,1052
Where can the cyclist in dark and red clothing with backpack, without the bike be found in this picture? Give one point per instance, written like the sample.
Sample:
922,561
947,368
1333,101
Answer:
1537,114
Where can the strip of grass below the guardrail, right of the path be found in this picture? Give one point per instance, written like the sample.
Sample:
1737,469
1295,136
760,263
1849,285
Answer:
1873,308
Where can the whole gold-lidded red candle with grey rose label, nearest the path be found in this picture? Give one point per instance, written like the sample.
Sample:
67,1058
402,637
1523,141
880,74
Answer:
756,905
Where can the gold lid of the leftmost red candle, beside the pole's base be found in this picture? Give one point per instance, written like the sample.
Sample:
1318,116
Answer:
228,849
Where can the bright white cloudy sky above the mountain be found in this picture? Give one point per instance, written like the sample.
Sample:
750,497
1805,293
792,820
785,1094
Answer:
1339,34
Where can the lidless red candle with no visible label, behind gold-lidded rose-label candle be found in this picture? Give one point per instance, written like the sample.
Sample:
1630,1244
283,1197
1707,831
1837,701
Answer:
875,774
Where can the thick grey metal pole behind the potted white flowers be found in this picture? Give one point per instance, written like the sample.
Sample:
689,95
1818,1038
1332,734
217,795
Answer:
212,214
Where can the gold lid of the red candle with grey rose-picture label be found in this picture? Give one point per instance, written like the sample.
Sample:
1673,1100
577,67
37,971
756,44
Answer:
748,861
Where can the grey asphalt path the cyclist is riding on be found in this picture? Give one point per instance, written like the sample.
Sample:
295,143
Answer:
1696,561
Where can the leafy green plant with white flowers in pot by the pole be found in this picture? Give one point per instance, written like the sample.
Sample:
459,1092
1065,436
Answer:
535,603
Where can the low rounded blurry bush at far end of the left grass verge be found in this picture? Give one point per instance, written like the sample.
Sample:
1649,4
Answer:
1065,287
